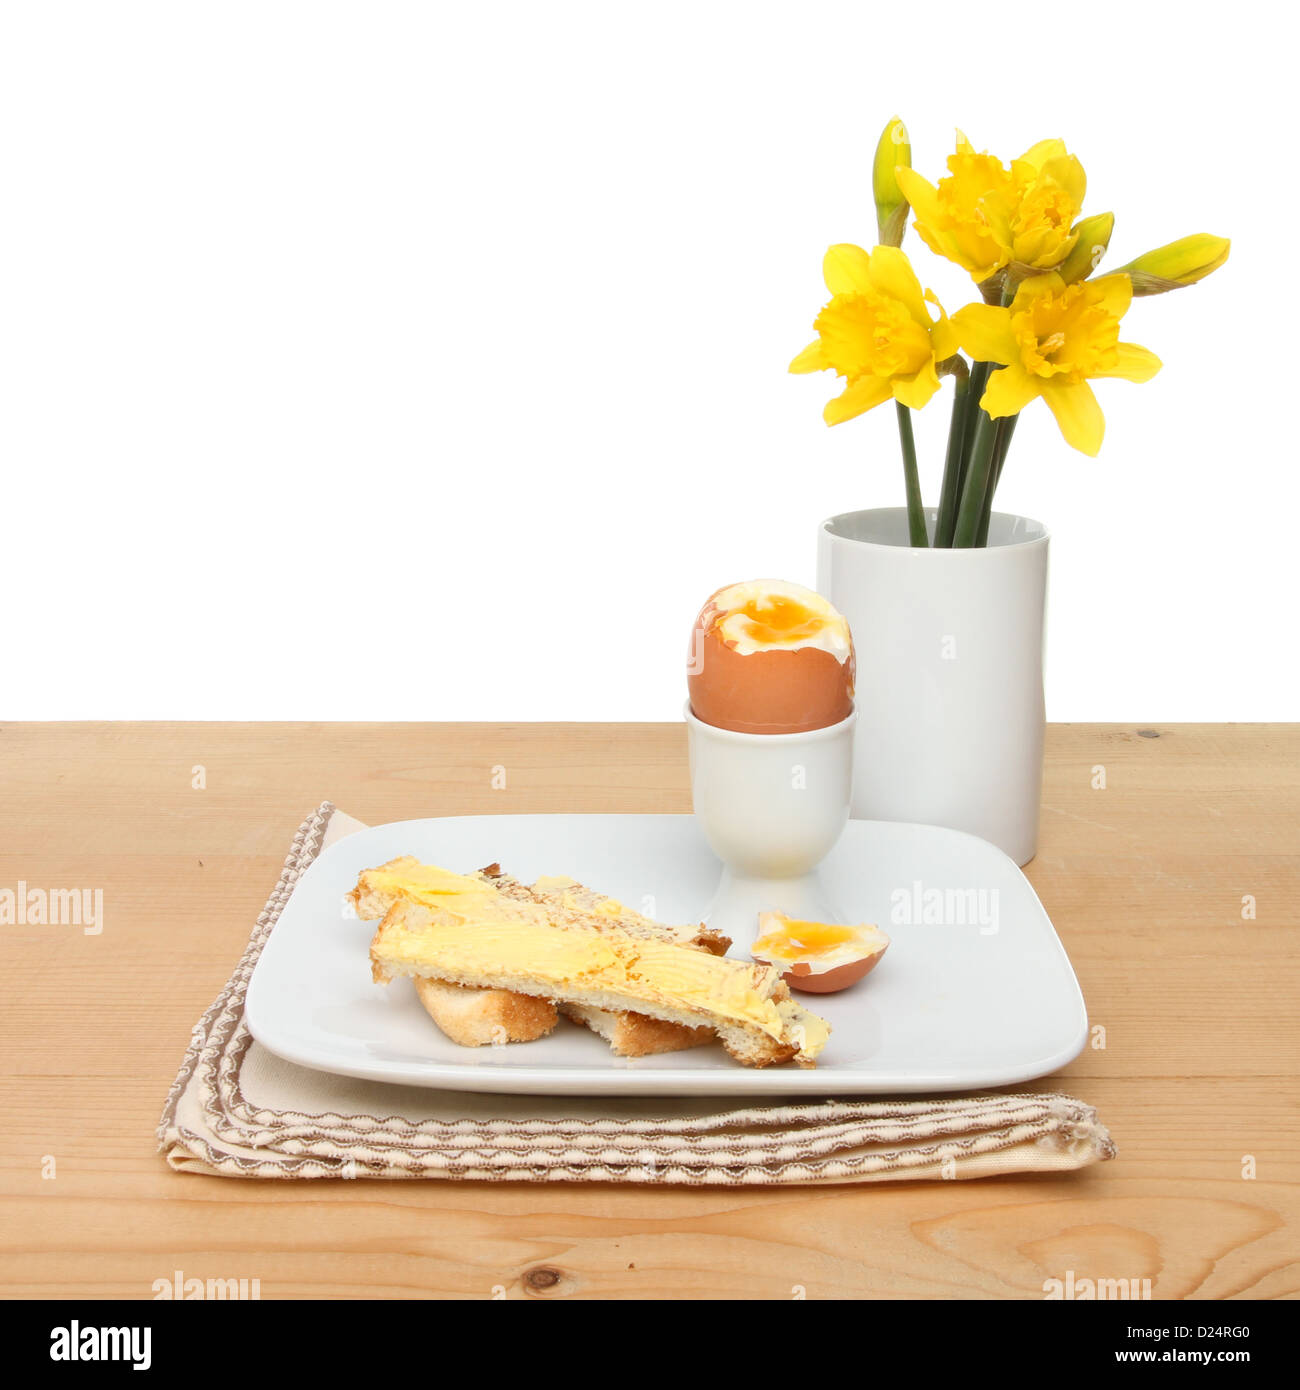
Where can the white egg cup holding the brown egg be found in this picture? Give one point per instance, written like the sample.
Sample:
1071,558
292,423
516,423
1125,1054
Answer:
772,808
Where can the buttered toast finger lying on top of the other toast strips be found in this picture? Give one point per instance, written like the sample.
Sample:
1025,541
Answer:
503,943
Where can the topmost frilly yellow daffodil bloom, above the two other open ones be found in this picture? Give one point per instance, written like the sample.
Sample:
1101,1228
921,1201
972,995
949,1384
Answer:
988,218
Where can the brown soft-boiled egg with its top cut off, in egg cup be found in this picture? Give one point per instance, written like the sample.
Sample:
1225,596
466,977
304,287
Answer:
771,658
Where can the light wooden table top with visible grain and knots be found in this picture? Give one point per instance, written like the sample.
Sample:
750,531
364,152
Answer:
1149,879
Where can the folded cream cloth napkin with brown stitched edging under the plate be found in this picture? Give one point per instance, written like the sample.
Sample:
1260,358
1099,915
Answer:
240,1111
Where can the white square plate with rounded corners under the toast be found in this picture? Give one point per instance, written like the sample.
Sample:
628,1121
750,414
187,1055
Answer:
975,989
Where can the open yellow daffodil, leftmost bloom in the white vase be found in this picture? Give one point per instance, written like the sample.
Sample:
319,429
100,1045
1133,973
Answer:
877,333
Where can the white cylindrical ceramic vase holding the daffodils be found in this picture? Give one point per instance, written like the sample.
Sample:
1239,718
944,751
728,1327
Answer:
950,673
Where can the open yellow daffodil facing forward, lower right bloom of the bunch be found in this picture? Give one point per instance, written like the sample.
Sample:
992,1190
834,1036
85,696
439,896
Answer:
1050,343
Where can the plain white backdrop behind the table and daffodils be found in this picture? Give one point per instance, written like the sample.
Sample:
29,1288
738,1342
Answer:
480,316
